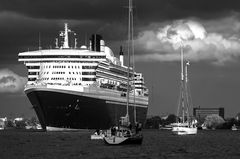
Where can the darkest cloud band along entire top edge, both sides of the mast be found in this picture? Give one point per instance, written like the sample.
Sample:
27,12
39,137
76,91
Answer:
109,9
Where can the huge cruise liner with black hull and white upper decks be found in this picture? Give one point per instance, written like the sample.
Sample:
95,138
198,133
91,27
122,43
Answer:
84,87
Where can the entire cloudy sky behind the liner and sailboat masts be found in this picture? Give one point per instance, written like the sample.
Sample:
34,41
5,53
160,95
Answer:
207,30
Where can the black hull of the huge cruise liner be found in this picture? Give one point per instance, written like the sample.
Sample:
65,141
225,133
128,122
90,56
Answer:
64,110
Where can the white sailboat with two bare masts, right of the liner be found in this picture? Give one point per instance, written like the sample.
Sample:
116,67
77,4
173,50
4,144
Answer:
185,126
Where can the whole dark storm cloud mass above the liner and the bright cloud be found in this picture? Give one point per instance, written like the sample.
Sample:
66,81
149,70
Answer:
23,20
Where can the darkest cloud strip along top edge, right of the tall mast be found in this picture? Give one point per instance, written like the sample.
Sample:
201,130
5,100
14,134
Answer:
159,10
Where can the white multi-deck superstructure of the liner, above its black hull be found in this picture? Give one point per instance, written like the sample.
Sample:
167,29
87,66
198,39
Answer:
70,66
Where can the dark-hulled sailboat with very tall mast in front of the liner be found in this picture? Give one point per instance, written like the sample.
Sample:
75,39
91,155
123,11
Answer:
123,134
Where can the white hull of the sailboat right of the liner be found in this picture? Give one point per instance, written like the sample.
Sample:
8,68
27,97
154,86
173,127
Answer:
184,130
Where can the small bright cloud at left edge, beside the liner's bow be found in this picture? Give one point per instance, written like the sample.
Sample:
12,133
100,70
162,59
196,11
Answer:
11,82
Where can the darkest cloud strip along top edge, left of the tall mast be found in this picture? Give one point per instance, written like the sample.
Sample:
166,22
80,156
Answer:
64,9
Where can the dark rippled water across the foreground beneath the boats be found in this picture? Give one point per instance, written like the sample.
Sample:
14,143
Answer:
156,144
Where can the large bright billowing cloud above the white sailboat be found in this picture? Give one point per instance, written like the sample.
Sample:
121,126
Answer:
163,44
